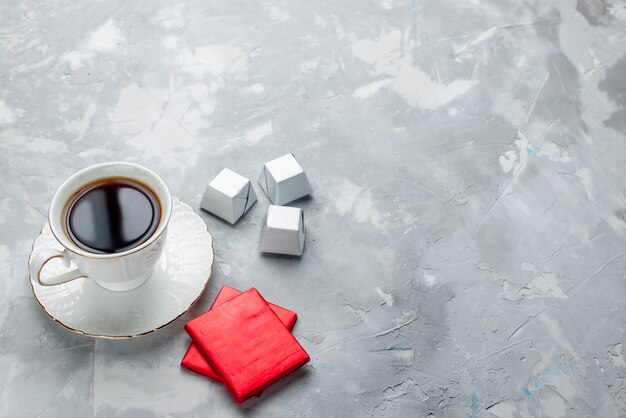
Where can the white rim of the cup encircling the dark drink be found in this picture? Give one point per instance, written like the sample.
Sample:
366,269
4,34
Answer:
164,198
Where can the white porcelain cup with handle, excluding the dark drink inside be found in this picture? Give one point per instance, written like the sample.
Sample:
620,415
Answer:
118,271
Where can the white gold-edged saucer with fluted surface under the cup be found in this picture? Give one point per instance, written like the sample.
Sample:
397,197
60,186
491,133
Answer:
180,277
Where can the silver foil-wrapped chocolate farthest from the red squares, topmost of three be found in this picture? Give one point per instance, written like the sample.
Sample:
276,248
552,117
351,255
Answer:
284,180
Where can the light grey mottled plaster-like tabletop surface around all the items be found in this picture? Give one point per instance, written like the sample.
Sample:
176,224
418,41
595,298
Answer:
465,247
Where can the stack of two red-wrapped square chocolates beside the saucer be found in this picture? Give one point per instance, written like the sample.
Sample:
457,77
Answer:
244,342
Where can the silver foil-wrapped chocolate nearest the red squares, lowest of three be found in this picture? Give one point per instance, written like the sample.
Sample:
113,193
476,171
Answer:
283,231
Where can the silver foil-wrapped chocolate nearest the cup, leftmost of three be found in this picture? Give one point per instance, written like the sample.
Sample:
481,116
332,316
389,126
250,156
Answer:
228,196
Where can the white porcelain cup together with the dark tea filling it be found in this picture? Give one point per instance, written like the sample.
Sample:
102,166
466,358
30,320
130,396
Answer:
111,220
